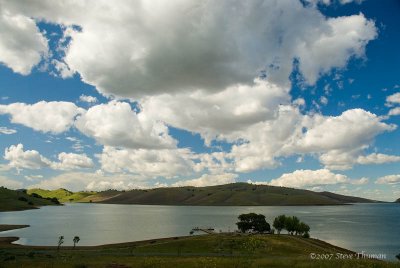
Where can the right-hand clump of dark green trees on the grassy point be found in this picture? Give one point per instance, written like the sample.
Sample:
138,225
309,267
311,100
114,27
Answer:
292,225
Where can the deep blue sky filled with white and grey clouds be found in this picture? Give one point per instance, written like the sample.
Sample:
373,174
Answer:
139,94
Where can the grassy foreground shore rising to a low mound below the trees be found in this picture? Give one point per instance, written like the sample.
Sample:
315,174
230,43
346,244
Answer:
220,250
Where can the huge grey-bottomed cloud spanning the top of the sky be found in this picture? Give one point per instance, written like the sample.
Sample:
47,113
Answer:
149,47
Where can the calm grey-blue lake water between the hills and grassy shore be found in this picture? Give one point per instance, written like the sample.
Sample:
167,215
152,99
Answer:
373,228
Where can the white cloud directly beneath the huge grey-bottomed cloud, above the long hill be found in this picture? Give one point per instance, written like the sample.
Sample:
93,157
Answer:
218,114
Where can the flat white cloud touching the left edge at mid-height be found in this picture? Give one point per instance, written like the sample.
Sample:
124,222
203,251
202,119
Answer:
54,116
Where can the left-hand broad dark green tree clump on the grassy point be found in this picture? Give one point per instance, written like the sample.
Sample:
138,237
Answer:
253,222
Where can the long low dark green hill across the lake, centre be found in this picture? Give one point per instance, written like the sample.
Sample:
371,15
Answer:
236,194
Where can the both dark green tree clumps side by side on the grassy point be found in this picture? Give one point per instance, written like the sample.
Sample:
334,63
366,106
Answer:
256,223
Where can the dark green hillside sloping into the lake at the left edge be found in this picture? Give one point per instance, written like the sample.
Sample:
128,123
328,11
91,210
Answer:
11,200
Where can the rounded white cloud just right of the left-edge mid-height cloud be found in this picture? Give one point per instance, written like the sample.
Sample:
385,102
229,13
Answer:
116,124
